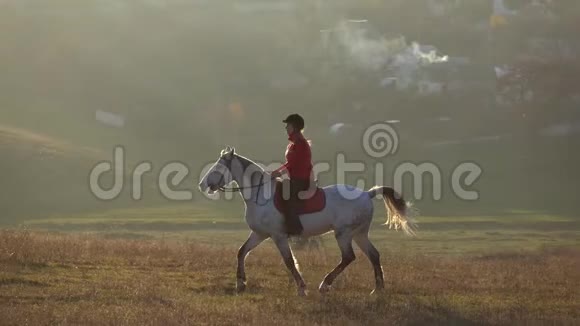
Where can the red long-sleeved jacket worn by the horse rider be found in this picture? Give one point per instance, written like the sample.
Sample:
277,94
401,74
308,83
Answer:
298,157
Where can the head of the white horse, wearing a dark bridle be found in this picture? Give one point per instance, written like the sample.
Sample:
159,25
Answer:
220,173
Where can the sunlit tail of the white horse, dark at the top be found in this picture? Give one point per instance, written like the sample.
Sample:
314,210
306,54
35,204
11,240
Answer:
400,214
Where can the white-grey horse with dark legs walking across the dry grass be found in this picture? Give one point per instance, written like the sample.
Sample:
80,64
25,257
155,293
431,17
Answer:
348,212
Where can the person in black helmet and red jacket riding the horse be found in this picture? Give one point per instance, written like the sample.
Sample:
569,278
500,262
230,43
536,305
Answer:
299,167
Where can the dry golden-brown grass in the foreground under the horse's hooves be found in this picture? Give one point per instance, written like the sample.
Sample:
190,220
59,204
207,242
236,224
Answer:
80,279
